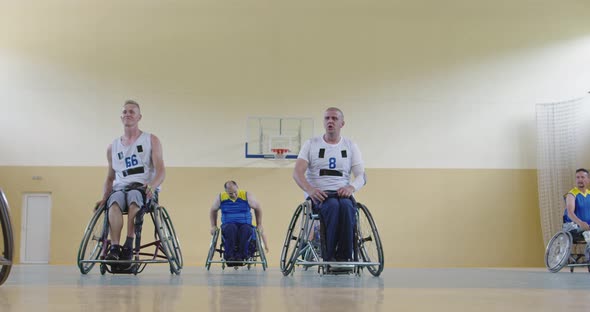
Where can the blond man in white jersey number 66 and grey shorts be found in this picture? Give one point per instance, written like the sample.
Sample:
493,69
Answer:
136,168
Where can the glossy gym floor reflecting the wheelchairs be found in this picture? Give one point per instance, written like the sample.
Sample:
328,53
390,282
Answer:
63,288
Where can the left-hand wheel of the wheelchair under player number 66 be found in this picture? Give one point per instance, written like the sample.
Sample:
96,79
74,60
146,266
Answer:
92,242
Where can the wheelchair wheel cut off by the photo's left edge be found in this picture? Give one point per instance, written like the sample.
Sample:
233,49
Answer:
7,239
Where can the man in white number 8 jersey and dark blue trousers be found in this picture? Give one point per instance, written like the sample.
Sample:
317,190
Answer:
323,170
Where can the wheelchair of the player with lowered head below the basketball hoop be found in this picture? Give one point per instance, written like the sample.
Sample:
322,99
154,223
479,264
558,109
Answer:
255,252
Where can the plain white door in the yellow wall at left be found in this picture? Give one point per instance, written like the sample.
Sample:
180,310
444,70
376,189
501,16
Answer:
35,229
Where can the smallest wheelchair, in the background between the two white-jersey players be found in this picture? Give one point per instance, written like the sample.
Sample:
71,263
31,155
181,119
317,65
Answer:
259,253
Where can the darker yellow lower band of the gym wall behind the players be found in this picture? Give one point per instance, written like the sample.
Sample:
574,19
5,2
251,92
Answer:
426,217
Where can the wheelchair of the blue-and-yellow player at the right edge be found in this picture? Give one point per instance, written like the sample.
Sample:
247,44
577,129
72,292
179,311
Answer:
566,249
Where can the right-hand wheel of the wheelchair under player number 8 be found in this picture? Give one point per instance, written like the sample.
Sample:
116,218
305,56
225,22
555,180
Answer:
369,241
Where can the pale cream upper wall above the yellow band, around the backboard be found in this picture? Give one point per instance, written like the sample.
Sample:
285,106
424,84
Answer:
423,84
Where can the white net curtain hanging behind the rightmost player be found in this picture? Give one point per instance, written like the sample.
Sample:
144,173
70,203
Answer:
557,131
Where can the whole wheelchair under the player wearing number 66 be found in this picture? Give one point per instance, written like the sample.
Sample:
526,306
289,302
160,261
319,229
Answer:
164,249
